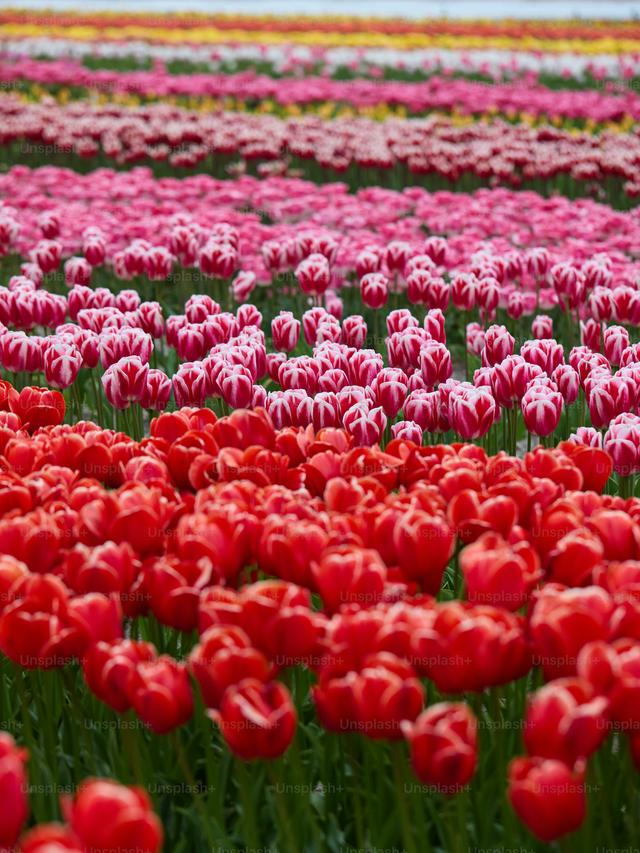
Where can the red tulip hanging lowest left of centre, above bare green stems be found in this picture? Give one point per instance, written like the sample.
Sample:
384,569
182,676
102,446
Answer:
257,720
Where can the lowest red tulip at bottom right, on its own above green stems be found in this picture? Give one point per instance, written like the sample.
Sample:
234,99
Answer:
548,796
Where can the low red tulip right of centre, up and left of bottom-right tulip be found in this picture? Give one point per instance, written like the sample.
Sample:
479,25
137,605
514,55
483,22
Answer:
444,745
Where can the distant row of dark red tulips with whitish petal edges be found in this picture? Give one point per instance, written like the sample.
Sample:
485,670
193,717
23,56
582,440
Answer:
408,150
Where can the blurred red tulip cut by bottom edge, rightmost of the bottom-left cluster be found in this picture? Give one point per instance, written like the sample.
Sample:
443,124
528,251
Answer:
110,817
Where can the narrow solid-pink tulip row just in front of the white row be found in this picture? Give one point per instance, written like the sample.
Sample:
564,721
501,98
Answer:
438,93
